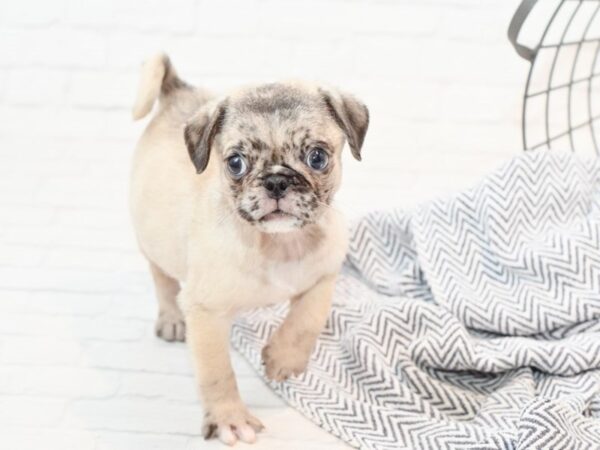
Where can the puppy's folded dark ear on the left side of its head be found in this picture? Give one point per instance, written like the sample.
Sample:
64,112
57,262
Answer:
200,132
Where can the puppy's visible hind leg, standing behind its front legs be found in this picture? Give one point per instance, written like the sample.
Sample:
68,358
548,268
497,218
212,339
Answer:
170,324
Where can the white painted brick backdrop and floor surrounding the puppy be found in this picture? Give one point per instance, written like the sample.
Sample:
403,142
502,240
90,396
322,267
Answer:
79,365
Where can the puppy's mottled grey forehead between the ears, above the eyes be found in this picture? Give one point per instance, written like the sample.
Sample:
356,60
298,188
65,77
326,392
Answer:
277,116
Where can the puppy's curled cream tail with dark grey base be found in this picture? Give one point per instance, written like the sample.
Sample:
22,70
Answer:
157,78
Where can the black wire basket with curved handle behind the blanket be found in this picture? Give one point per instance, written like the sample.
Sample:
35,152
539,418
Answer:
561,108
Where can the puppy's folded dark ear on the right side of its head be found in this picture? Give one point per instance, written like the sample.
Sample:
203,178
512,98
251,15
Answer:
351,115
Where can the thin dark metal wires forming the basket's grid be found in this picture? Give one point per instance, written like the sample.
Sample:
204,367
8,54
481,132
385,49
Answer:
531,55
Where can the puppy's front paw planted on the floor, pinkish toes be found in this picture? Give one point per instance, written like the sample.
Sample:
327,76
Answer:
231,423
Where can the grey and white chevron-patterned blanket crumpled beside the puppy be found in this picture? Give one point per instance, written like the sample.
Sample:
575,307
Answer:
472,322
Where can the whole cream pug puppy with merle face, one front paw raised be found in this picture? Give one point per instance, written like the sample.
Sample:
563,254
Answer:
231,203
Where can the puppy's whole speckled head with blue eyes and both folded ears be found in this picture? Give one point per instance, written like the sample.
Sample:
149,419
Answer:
278,147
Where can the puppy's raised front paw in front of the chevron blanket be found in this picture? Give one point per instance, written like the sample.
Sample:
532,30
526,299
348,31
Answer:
282,361
